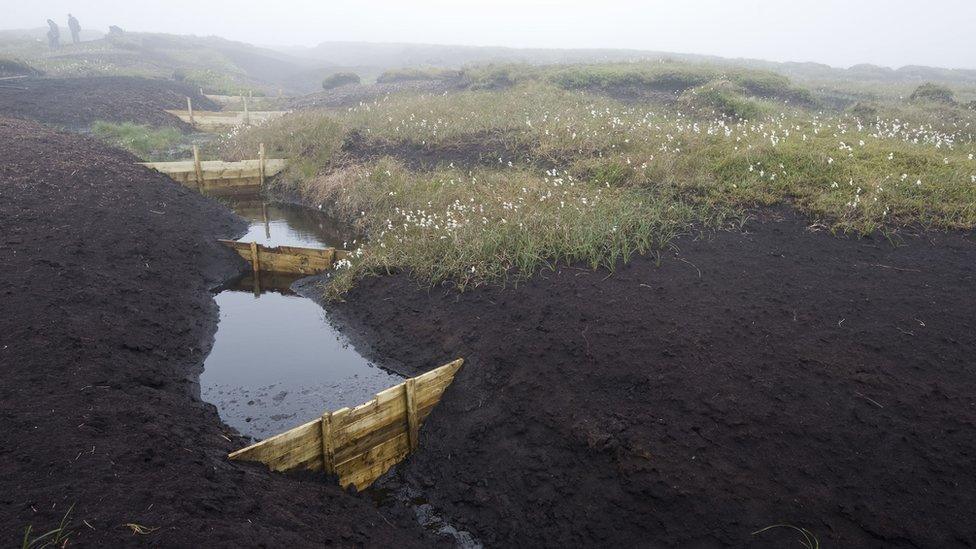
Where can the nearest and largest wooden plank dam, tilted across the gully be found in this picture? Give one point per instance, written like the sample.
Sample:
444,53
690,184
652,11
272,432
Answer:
359,444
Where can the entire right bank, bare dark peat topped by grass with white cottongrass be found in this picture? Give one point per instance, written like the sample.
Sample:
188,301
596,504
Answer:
643,377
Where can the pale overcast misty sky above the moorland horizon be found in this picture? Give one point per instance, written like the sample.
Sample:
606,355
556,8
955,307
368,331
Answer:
837,32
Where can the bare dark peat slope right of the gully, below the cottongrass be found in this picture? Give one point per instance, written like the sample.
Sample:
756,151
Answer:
776,376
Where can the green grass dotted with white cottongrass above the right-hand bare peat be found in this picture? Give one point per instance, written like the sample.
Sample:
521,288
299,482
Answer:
628,177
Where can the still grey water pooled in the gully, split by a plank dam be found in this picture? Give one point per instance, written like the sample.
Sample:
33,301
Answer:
276,361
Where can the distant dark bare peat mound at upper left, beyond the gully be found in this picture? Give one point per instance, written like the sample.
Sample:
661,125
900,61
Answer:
77,102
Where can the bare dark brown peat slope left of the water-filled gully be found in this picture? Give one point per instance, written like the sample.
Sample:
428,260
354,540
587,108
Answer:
105,276
